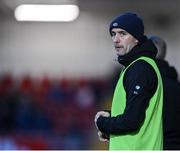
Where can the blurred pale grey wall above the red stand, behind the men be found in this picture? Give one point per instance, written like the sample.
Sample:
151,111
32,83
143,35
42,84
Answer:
83,47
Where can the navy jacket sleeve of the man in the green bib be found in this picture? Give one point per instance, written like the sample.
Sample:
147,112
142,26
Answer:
140,83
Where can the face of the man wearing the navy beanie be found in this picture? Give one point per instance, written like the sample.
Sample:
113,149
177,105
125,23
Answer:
123,41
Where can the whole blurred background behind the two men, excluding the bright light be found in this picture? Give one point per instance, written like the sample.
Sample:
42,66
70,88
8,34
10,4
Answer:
55,76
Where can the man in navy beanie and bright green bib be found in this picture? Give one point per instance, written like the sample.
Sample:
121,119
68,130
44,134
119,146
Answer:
135,121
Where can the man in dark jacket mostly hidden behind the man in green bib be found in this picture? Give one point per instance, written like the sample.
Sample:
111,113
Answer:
171,104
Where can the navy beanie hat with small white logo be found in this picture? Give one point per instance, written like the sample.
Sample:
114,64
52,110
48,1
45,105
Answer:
131,23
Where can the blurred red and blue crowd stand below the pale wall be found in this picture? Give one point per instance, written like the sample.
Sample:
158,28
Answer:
46,113
